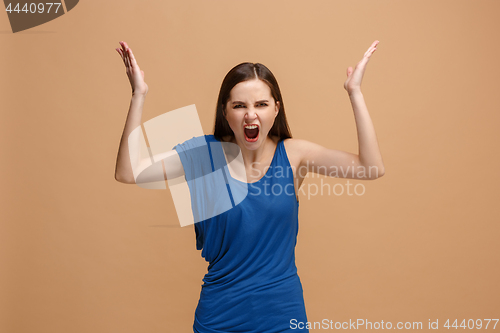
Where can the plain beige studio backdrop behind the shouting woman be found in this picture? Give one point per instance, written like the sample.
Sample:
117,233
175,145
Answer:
80,252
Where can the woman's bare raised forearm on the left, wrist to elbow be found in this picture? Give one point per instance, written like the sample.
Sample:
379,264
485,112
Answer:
123,170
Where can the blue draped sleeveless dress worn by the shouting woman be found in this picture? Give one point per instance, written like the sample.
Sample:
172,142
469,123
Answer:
252,283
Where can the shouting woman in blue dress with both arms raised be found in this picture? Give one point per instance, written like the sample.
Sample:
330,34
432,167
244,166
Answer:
252,283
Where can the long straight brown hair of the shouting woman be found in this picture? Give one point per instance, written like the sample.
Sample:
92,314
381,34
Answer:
244,72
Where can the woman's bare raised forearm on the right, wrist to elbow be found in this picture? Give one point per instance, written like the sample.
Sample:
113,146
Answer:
369,151
